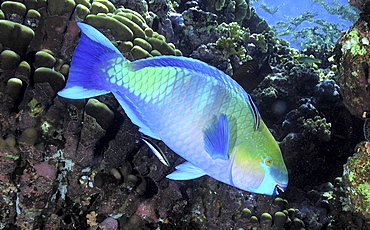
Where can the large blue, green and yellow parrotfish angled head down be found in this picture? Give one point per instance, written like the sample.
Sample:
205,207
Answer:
198,111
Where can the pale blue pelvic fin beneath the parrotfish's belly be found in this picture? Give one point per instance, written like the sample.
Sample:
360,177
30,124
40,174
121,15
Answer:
186,171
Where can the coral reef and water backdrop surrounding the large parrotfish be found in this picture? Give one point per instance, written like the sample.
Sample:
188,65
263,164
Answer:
80,164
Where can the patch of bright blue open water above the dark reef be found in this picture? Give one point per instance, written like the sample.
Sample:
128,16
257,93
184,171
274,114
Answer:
335,17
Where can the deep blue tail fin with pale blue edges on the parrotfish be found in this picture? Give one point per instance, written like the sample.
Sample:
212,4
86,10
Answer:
90,56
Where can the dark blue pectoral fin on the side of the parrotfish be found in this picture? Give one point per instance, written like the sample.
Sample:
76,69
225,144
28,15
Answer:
217,138
